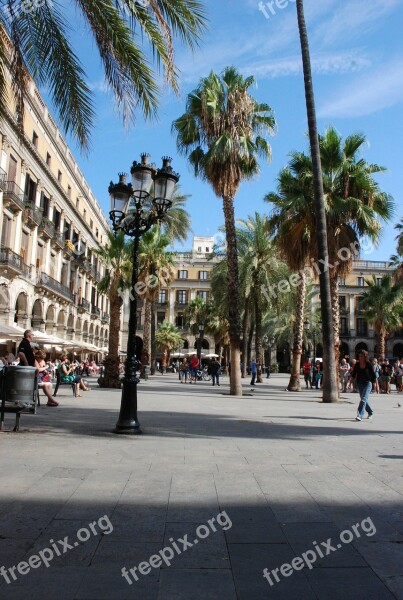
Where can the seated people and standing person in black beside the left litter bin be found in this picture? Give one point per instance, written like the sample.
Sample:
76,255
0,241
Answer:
69,372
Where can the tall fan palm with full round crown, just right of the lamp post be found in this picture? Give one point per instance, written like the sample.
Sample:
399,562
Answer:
221,132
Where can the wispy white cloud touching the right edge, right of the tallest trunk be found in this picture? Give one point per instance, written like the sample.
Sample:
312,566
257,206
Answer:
366,95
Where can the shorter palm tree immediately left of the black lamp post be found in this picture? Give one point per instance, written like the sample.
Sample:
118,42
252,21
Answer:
117,257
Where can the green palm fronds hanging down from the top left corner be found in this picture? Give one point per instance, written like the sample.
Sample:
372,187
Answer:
42,43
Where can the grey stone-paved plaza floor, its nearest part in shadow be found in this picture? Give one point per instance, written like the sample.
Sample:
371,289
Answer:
216,490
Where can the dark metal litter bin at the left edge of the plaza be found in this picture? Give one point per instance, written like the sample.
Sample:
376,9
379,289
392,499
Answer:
19,392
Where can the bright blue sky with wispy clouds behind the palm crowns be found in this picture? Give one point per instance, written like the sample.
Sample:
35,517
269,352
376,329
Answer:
357,58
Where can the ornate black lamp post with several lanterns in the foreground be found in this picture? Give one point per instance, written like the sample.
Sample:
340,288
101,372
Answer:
135,208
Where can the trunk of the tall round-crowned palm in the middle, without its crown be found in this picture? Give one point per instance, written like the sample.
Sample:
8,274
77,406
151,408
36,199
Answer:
234,317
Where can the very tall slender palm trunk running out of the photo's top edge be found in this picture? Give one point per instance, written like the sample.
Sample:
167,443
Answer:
330,387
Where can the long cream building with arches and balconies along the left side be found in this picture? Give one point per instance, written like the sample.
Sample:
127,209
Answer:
50,225
